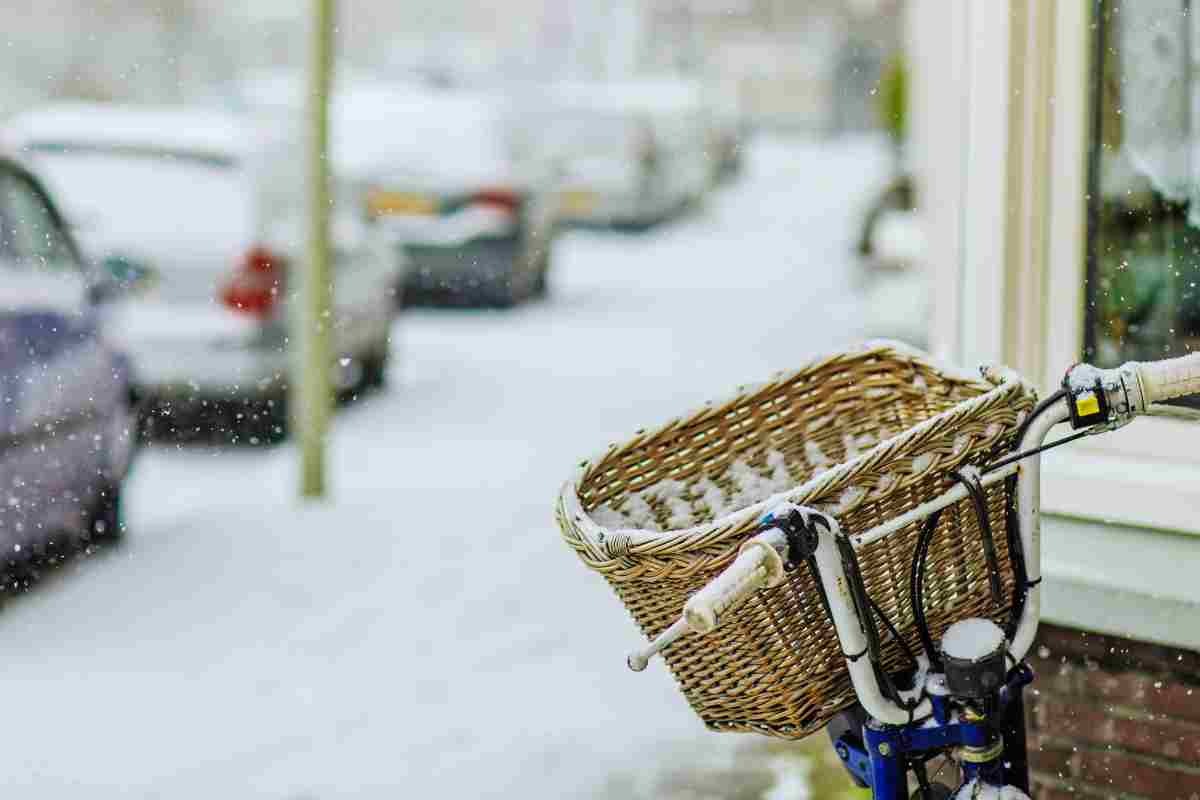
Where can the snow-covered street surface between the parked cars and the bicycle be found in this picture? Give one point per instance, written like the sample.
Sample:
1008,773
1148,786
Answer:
427,634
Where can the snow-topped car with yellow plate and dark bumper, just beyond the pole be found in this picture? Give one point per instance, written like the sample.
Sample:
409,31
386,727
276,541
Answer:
452,176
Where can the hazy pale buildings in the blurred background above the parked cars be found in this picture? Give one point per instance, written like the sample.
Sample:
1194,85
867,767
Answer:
808,67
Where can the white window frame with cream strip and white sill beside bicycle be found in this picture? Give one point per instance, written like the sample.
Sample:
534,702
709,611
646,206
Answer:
1000,109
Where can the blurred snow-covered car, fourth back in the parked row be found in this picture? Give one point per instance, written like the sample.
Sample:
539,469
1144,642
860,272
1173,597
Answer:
633,153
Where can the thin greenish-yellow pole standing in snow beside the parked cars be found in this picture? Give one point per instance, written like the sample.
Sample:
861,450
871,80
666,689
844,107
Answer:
314,390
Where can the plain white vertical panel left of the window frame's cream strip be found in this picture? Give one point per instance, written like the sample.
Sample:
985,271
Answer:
959,57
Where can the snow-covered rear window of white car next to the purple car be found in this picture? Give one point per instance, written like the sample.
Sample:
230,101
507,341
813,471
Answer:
177,208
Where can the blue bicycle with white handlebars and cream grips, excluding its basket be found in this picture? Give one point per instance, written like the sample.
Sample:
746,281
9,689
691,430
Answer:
963,702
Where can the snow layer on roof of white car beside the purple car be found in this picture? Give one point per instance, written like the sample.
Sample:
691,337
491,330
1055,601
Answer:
154,129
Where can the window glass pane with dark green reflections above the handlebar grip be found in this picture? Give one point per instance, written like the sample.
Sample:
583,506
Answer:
1144,195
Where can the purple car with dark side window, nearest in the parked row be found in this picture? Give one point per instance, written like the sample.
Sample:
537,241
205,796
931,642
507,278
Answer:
68,418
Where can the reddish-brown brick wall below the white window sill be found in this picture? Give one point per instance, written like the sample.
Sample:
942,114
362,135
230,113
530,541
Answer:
1113,718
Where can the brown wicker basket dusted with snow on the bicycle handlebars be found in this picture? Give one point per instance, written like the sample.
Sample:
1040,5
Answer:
863,436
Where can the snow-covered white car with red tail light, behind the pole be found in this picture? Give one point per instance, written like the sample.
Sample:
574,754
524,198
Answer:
206,213
